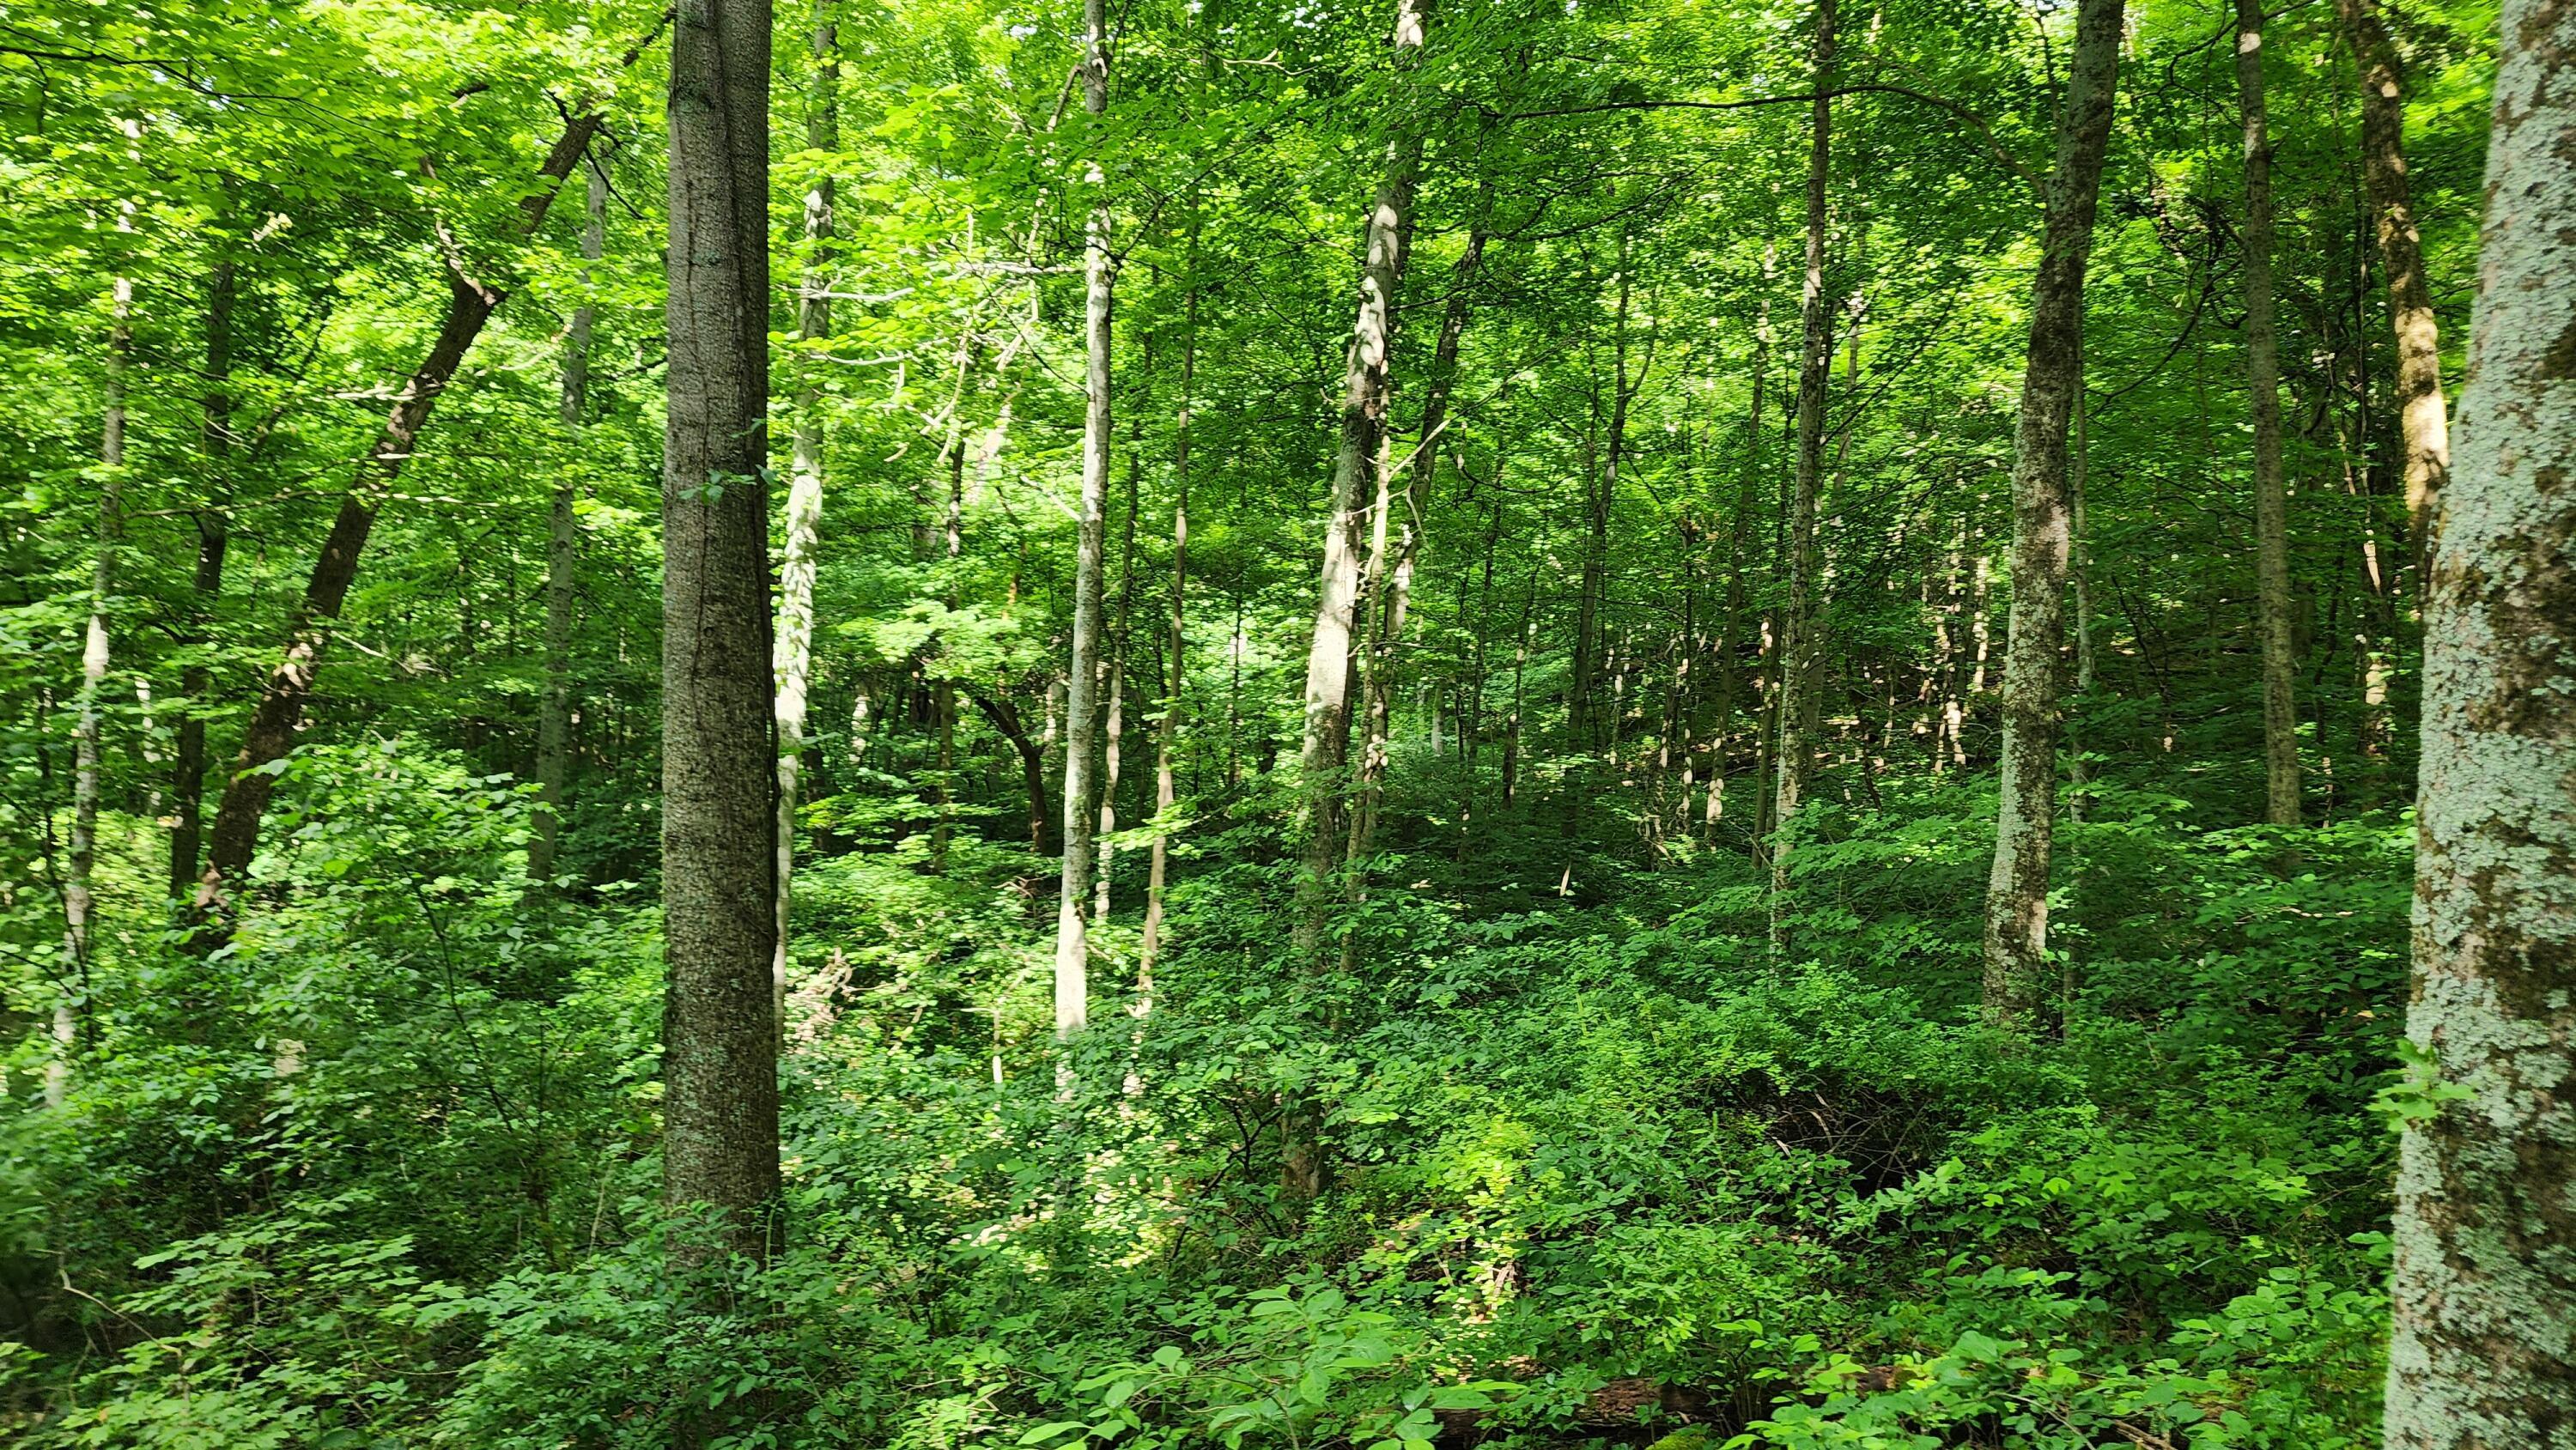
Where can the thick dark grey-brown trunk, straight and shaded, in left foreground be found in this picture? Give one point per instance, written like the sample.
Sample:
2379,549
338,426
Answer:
720,782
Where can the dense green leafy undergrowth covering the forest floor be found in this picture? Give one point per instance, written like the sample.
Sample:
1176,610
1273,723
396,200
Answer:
1604,1165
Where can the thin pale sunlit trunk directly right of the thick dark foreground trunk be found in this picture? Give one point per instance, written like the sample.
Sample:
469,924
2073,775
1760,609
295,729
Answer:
792,658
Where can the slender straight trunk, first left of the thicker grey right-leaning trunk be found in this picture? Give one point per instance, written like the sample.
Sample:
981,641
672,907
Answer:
1799,653
